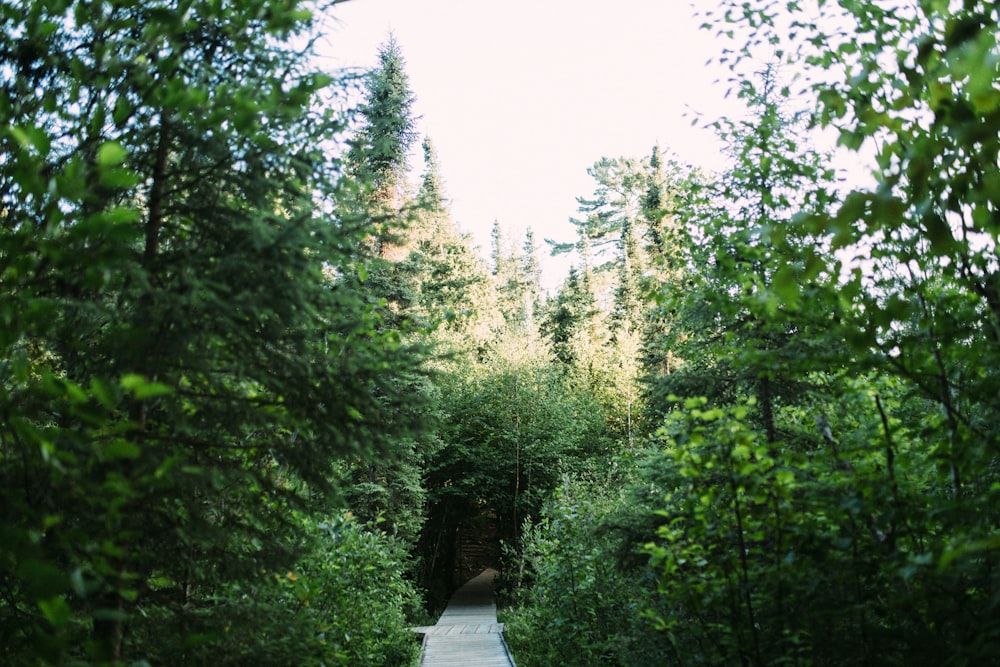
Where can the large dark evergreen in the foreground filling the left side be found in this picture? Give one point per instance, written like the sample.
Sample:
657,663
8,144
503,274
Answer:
181,376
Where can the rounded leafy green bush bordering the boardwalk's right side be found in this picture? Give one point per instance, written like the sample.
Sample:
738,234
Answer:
578,597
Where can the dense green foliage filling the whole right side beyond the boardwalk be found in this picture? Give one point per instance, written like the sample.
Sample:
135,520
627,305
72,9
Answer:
821,487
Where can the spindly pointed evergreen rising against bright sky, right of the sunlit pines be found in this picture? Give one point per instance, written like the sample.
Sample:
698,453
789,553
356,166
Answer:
742,260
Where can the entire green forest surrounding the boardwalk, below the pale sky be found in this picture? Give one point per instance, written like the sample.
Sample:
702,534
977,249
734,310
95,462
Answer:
262,402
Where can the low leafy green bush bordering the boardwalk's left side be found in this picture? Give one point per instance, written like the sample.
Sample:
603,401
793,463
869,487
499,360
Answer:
346,602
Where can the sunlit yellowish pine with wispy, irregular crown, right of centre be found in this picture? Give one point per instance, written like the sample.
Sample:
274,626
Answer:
620,238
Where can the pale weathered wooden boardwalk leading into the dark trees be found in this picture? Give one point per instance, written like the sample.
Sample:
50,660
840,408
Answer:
467,634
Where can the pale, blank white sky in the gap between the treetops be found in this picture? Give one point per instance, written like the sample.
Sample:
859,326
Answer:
520,97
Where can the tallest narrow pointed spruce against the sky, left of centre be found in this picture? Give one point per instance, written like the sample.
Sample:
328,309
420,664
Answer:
390,491
